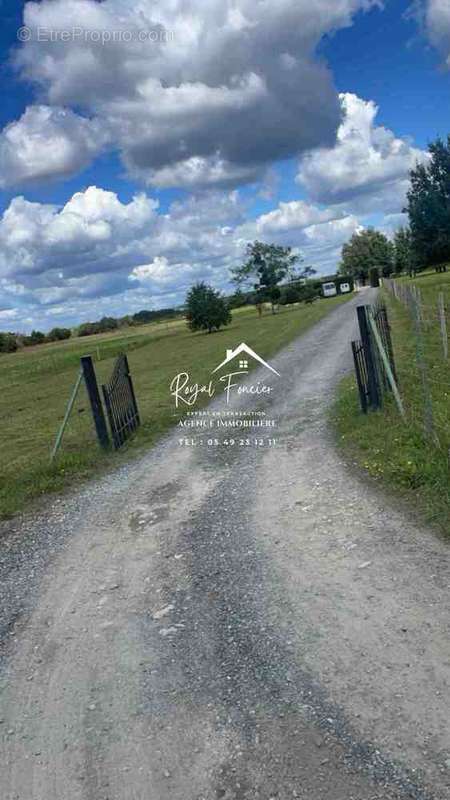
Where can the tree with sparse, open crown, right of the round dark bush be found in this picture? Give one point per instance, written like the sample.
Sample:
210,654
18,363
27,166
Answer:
268,265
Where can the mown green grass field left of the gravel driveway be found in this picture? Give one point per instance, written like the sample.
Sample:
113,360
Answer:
36,383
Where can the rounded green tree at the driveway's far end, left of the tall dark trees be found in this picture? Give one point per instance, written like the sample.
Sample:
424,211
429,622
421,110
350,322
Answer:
365,250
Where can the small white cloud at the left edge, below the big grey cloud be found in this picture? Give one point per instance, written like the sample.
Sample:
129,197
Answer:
47,143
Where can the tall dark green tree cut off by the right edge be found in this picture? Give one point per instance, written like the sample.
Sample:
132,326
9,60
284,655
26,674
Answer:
429,206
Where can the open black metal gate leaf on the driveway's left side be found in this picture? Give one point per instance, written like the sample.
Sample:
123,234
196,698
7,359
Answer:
120,402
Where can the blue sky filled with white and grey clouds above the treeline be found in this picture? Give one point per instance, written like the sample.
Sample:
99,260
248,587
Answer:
144,143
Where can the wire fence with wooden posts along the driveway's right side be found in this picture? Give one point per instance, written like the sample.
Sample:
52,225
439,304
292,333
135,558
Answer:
420,329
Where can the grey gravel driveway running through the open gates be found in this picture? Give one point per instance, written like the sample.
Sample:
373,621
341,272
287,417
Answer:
229,622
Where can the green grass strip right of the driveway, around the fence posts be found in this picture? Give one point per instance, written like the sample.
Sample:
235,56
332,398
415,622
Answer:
400,454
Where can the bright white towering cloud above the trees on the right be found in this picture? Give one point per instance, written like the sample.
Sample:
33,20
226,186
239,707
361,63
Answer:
367,169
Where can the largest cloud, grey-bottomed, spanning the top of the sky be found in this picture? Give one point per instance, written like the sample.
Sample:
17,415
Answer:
232,86
